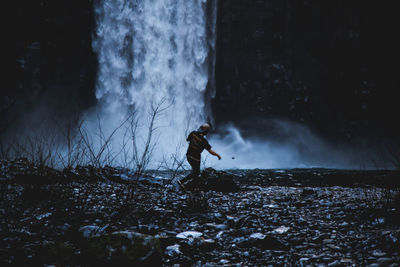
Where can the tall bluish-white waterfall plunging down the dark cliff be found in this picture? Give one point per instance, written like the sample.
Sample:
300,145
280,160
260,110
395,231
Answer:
152,51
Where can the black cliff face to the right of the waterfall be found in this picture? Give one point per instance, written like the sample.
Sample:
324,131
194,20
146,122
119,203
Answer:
331,65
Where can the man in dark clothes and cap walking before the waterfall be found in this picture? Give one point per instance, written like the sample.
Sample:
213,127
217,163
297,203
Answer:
197,143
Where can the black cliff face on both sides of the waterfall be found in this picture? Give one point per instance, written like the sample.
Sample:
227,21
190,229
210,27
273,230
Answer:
330,65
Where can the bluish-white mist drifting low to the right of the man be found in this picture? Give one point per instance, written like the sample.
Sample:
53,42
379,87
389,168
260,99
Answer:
294,147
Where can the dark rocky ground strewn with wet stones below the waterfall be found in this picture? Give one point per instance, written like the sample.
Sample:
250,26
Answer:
293,217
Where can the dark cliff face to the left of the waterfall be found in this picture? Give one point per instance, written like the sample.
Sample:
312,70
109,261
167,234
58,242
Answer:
55,65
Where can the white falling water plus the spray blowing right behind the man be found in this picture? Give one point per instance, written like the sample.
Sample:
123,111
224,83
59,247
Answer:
163,50
